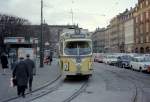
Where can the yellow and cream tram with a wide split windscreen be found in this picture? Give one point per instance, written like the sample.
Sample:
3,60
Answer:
75,51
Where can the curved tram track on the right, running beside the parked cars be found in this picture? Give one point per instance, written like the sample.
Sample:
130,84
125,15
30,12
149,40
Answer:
139,82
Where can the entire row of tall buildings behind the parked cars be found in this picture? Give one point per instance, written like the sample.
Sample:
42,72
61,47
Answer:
128,31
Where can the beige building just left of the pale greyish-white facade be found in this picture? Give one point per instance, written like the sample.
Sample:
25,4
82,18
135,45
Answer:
117,34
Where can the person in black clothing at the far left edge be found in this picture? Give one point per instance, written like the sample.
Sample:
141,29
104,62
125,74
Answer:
4,62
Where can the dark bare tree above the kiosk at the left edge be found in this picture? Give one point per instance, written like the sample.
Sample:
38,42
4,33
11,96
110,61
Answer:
11,26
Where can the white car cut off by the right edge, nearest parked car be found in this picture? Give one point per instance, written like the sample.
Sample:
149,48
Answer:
140,64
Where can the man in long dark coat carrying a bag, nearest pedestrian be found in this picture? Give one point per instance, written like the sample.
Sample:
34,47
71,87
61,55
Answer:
21,74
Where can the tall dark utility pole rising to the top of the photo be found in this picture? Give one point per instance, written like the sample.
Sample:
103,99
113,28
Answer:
41,38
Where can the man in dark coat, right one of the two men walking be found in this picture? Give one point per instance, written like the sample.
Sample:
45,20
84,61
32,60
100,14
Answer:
31,68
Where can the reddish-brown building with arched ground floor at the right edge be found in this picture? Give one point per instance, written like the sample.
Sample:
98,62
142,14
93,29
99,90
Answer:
142,27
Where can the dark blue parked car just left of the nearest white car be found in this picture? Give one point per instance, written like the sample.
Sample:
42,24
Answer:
124,61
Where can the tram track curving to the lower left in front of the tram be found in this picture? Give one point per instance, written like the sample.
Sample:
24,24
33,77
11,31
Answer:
57,85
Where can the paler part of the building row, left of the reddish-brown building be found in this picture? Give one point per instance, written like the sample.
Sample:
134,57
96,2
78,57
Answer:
119,34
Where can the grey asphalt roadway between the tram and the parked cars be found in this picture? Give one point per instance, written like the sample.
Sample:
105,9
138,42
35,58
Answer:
112,84
